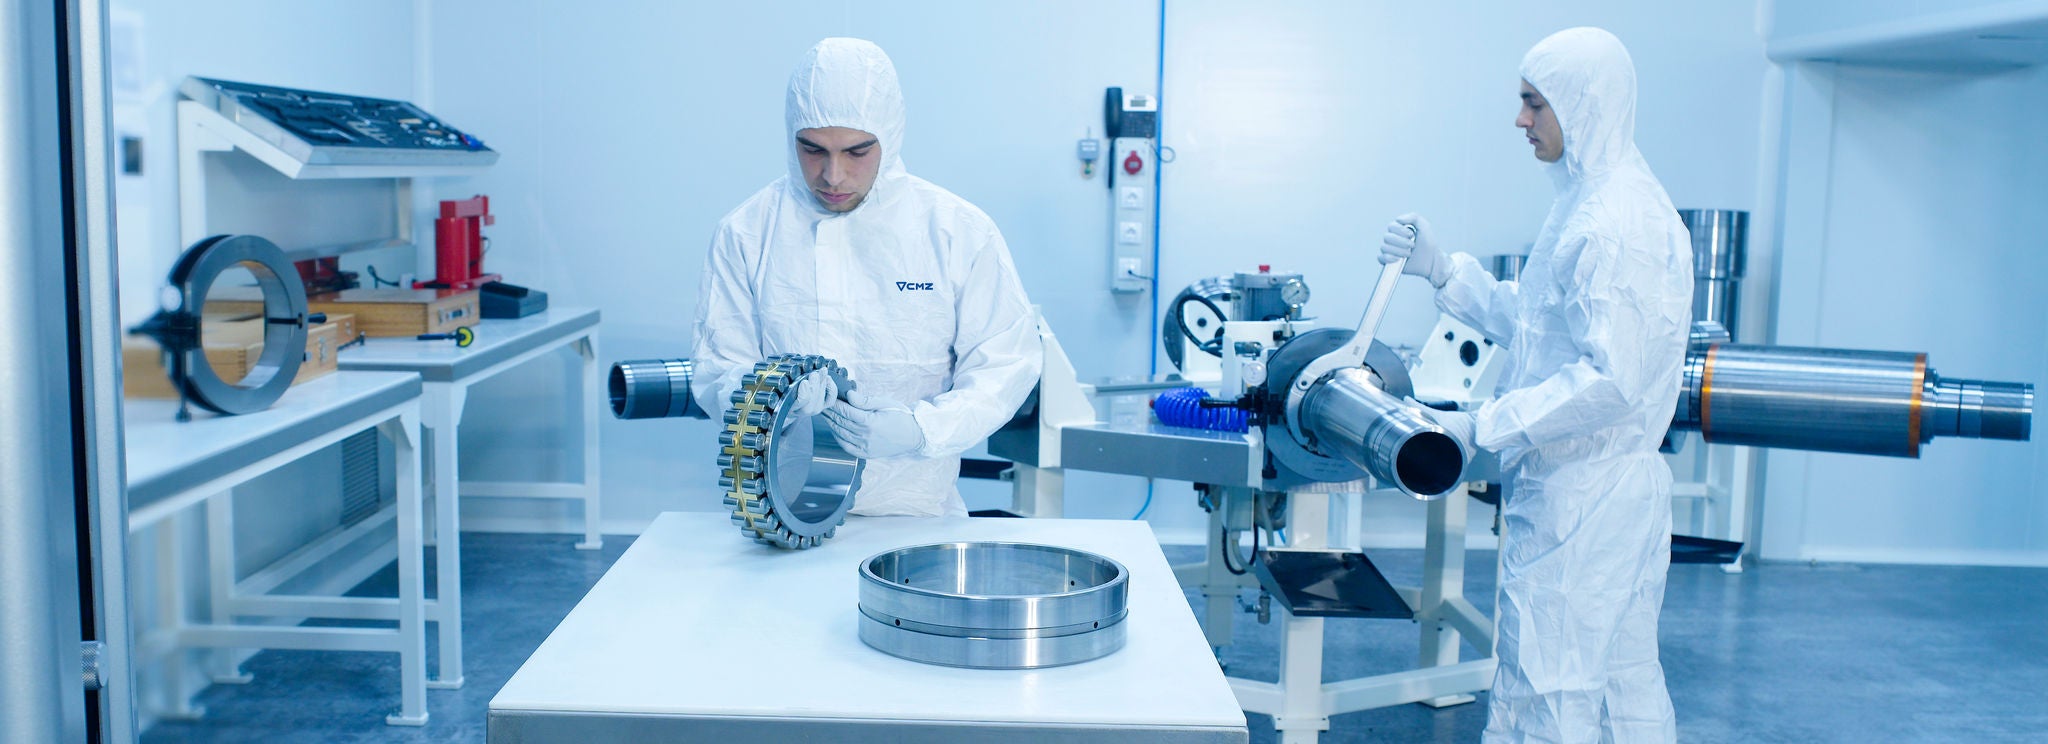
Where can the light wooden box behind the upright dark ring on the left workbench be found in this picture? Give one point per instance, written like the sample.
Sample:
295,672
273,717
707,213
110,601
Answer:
232,349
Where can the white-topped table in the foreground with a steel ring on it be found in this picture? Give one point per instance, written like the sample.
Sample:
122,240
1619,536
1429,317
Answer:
703,636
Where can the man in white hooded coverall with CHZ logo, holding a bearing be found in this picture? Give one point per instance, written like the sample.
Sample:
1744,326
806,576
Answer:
900,282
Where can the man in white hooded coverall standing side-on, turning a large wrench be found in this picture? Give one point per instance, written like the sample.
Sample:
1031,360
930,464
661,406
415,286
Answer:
1596,335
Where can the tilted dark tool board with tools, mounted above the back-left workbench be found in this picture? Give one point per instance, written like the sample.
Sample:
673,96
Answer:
329,128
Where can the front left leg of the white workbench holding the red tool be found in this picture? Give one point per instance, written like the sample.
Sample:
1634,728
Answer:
443,411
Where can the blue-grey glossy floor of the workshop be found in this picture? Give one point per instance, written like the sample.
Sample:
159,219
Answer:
1785,653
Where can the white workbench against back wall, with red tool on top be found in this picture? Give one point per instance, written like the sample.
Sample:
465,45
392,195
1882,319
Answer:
447,372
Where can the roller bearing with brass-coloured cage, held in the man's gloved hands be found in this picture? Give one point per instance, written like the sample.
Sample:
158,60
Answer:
783,487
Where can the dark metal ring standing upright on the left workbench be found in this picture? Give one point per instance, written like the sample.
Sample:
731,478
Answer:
284,337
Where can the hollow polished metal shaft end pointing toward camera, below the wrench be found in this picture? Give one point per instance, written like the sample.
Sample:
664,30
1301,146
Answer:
1351,417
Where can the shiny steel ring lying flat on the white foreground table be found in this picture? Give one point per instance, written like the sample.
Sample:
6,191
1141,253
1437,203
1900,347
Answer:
994,606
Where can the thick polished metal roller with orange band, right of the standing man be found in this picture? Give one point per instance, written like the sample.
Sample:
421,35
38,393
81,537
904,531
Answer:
1840,401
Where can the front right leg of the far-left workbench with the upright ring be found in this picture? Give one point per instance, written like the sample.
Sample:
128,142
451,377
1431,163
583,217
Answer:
404,436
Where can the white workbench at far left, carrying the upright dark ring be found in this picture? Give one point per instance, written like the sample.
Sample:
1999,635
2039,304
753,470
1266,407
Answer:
175,466
